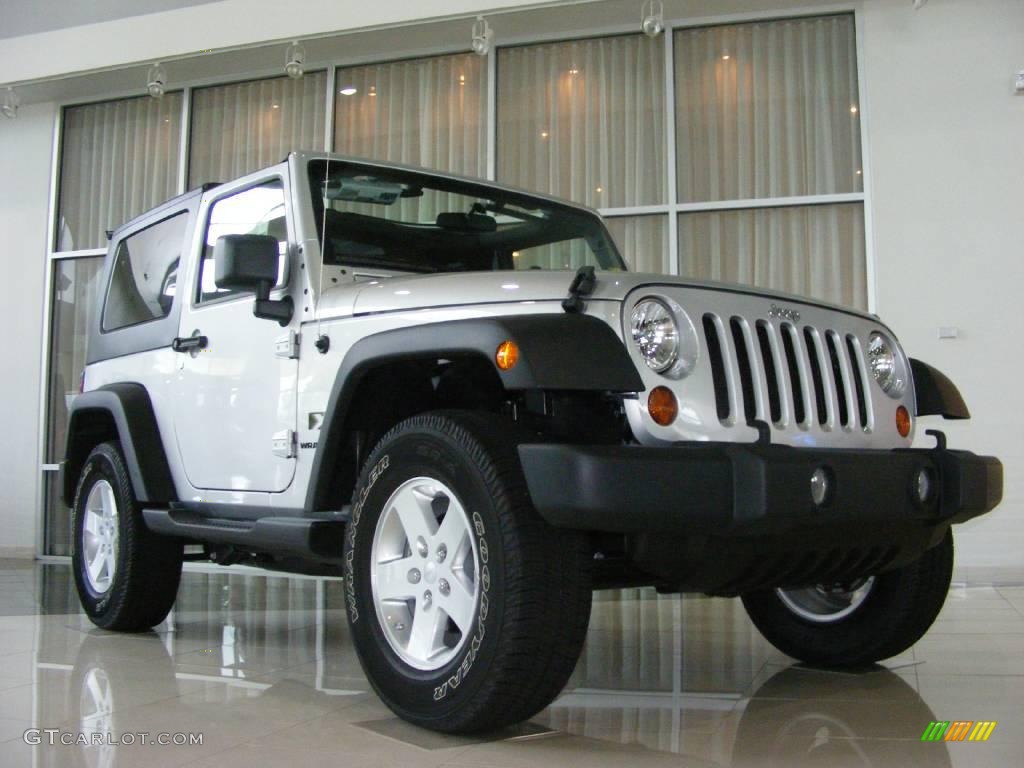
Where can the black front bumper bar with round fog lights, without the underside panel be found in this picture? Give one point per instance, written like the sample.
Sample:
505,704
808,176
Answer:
751,490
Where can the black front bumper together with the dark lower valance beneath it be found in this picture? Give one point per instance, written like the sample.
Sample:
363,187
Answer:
728,519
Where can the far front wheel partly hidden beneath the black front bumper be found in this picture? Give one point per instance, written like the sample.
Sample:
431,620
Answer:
895,611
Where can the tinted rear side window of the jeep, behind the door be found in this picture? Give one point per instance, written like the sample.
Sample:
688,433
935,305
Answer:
145,276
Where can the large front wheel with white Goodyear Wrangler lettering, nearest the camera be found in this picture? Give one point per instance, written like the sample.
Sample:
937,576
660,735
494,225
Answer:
527,585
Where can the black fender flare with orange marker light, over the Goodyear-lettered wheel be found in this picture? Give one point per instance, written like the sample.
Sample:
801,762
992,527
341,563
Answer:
558,352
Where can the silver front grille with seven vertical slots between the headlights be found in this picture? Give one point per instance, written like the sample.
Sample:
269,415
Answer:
774,372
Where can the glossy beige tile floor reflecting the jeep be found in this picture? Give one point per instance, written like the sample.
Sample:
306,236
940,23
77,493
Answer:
263,667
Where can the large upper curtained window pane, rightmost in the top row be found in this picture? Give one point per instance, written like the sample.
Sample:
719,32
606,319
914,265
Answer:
767,110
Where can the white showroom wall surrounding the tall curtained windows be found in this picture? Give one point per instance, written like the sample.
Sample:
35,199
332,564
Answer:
944,177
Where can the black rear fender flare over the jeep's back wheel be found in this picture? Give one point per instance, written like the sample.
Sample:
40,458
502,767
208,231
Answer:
131,409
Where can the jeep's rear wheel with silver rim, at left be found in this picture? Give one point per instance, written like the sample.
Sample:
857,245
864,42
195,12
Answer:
137,576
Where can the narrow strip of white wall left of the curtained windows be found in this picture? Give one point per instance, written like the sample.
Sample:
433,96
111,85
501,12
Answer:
26,149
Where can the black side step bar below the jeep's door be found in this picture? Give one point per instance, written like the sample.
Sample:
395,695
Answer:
303,537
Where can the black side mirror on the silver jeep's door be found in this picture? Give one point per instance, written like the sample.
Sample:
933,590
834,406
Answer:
249,263
